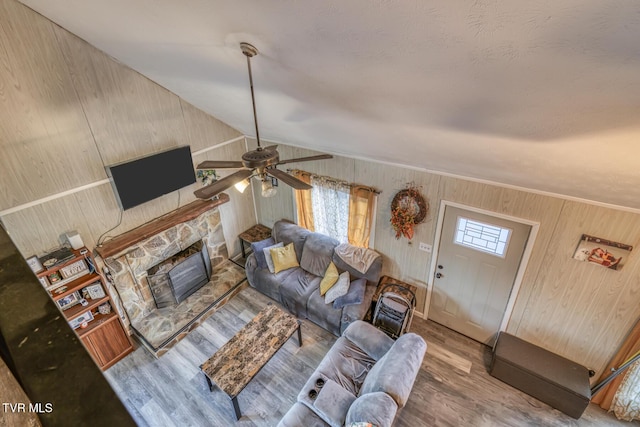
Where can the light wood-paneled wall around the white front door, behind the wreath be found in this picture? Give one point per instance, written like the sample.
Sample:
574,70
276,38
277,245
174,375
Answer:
578,310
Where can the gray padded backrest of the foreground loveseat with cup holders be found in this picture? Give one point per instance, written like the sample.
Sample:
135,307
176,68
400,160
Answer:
396,371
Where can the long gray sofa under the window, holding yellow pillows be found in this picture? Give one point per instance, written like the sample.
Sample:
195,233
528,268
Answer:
297,289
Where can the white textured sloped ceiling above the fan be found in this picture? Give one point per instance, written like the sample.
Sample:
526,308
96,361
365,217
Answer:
543,95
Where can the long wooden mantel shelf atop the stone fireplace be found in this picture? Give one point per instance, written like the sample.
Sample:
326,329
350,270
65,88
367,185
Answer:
151,228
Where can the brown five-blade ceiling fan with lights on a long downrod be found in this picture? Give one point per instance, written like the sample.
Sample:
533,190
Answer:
259,163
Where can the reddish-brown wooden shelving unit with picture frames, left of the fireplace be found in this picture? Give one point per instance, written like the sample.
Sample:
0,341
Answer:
102,334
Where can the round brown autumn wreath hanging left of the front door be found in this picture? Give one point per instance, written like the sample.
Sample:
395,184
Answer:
408,208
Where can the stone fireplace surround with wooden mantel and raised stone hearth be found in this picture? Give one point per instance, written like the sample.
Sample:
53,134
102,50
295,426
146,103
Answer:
128,259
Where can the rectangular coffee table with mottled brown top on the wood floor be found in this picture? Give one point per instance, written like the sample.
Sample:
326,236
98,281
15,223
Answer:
235,364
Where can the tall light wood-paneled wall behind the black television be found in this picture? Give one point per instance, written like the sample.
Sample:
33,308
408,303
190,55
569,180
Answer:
67,111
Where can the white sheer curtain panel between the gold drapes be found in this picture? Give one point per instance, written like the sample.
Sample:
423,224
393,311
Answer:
330,208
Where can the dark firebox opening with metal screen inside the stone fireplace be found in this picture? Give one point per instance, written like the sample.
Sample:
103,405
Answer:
179,276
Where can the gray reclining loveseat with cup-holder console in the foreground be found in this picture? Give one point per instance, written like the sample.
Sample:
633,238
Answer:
366,377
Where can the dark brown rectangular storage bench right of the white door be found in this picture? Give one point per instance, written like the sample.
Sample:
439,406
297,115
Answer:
554,380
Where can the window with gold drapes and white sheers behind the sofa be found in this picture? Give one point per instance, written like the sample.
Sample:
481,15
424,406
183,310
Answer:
336,208
